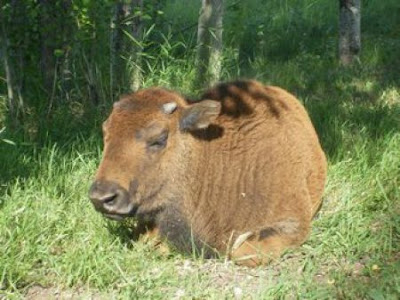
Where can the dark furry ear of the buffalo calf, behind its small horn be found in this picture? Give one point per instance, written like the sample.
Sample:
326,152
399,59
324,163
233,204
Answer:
199,115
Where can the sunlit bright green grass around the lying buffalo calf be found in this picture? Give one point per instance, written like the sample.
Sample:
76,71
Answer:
51,236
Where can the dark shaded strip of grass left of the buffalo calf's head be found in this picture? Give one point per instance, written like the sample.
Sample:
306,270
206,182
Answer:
36,136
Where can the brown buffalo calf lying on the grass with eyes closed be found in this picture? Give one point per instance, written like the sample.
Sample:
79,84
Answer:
239,172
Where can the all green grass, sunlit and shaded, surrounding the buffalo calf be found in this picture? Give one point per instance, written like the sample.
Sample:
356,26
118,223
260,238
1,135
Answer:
52,242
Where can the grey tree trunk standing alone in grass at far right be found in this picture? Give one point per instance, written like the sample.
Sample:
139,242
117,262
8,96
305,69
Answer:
349,31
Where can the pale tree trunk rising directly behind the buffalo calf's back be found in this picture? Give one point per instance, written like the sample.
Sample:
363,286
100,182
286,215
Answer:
209,43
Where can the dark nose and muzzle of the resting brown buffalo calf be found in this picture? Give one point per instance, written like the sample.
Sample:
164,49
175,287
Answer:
110,198
